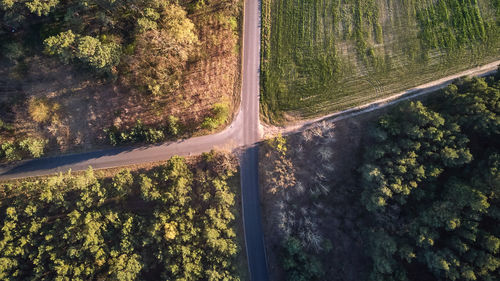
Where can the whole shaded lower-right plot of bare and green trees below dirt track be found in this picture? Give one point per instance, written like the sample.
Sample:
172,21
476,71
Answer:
410,192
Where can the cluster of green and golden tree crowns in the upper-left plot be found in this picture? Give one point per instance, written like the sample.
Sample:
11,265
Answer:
157,37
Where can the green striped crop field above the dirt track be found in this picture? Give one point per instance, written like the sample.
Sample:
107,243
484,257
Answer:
320,56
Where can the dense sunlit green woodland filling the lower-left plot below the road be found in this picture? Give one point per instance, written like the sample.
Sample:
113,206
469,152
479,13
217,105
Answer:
175,221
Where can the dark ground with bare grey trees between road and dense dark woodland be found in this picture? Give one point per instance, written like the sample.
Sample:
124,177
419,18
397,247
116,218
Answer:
327,155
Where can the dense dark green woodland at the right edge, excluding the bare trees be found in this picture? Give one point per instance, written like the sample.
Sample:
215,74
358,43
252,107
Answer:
431,185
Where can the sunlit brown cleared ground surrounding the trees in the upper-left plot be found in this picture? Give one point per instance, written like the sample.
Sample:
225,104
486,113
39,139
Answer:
79,105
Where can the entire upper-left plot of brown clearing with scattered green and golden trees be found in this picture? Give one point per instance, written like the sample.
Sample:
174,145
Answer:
81,74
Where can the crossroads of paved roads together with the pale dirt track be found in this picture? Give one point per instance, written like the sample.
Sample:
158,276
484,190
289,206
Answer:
242,133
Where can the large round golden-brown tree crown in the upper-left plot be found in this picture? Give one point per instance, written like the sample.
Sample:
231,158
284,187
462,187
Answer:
165,40
